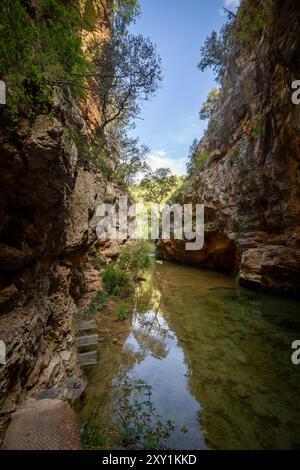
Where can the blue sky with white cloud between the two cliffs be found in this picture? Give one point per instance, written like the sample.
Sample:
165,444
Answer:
170,120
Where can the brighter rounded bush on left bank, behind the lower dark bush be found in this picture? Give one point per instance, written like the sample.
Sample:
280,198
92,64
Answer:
134,258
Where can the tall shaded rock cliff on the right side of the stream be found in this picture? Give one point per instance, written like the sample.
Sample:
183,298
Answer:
250,181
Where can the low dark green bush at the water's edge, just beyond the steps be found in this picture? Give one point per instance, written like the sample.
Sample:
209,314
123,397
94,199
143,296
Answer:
117,282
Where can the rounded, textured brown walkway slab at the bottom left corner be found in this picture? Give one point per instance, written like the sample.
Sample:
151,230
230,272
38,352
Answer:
43,425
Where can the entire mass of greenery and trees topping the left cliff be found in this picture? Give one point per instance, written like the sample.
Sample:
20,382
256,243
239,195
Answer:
41,49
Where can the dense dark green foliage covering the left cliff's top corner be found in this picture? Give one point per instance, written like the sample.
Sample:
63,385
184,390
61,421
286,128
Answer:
37,49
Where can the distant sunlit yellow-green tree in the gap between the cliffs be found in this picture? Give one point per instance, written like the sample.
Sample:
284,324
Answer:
158,184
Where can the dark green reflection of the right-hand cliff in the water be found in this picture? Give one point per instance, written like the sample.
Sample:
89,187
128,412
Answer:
237,345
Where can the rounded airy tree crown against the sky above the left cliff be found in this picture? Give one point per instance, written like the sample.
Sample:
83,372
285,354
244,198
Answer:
131,73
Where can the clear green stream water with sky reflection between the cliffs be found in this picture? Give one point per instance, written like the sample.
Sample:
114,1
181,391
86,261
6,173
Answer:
218,358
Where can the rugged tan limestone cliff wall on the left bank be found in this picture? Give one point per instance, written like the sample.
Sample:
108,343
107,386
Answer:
48,202
